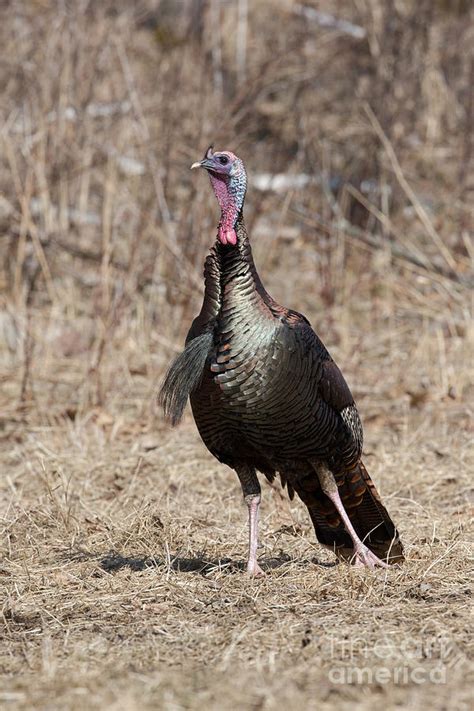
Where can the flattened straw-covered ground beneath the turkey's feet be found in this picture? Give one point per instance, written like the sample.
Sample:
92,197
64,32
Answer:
123,570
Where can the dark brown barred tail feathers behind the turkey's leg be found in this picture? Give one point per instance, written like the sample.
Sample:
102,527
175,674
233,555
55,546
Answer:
364,507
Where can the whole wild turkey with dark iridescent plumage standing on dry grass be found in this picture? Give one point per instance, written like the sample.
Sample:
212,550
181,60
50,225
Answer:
267,396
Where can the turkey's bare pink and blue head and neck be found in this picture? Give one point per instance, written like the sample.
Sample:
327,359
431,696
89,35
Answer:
229,182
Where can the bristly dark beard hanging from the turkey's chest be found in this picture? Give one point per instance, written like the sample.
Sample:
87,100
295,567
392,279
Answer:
184,377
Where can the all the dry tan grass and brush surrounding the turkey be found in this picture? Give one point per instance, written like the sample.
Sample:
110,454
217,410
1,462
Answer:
123,543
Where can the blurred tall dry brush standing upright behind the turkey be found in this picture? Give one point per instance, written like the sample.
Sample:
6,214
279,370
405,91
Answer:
355,121
